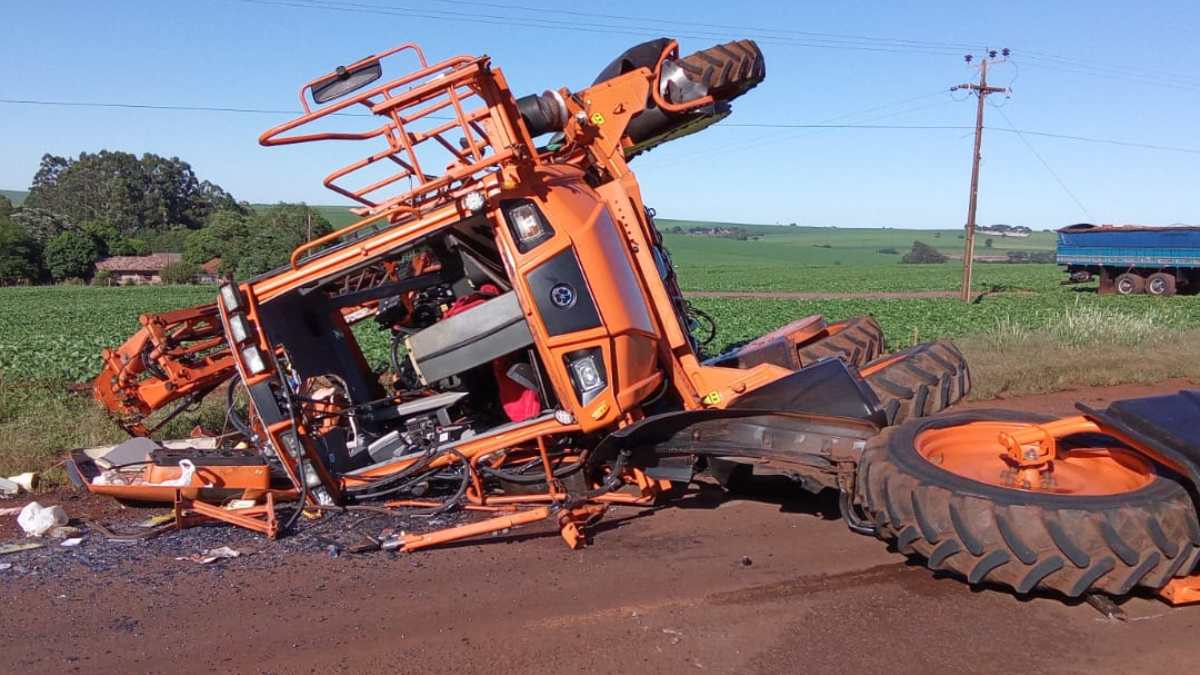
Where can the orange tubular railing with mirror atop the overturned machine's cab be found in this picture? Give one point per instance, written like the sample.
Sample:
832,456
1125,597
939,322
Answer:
457,115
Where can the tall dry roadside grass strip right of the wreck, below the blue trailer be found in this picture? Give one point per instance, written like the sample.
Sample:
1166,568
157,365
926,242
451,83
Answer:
1085,347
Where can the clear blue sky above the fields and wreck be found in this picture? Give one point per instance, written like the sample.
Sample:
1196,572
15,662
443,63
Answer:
1126,79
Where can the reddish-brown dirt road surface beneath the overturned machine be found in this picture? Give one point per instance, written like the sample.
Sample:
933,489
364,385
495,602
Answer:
709,586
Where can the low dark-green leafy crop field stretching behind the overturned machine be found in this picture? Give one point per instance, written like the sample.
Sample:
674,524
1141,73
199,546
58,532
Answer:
57,333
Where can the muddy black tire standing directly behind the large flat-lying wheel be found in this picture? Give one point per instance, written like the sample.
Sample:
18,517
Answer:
919,381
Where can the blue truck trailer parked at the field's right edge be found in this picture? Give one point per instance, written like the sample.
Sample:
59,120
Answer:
1130,260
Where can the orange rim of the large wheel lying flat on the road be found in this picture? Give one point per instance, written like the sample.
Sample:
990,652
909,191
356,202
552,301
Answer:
975,452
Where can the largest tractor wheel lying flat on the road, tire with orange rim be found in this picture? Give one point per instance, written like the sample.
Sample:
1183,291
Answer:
1111,523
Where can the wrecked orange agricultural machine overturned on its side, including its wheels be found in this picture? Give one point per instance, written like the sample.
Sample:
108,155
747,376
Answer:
547,367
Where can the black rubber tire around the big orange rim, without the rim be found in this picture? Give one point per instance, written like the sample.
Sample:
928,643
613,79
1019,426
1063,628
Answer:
1019,540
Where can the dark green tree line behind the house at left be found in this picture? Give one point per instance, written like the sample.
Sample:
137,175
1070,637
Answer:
111,204
